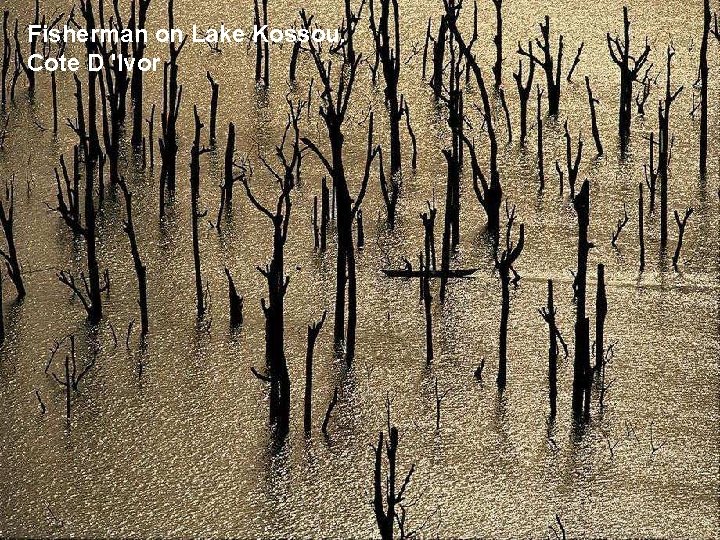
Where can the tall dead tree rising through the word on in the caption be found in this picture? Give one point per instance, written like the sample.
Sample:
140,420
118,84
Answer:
172,97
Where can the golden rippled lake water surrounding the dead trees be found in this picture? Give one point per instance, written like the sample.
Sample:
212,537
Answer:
185,449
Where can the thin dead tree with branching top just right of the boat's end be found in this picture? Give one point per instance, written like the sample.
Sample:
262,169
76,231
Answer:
504,262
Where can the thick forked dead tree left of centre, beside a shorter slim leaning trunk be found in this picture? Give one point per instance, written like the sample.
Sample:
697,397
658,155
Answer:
274,272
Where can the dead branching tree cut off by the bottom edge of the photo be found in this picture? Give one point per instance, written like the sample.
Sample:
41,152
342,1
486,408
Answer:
388,496
